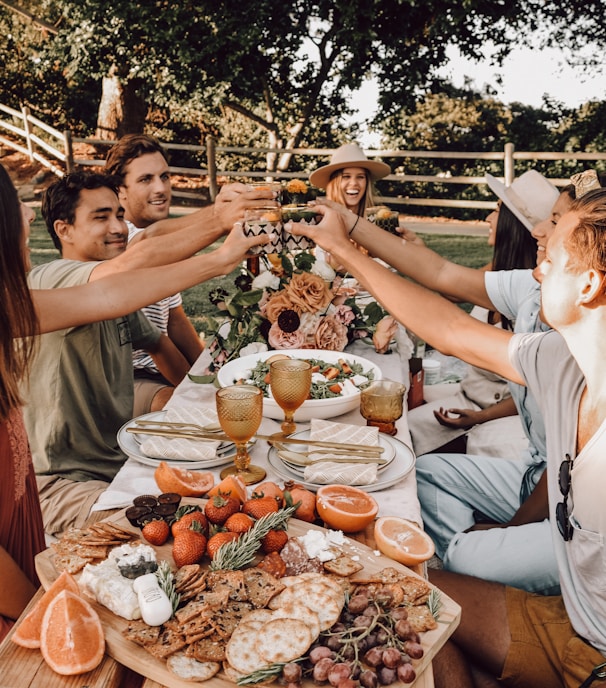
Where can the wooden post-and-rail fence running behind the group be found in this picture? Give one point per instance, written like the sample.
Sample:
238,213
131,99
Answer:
56,151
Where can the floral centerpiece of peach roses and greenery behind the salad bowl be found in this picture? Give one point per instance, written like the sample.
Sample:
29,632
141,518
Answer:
297,302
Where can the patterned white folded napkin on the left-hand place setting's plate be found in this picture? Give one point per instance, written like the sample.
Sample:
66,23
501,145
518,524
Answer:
183,449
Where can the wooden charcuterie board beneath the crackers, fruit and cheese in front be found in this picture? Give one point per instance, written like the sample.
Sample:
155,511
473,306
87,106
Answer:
136,658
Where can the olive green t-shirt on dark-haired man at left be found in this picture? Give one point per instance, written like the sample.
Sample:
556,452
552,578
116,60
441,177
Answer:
80,389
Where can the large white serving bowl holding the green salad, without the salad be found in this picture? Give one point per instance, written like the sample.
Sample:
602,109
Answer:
239,369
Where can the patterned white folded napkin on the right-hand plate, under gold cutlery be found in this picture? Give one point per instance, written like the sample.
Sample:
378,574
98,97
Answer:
328,472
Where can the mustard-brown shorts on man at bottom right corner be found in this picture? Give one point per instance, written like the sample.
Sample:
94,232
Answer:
545,651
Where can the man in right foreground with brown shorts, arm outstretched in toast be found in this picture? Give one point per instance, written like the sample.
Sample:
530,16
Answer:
508,636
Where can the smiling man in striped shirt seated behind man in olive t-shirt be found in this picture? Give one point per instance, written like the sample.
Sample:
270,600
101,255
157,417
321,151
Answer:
140,165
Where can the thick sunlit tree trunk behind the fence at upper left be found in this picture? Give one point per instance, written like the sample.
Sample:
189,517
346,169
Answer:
121,110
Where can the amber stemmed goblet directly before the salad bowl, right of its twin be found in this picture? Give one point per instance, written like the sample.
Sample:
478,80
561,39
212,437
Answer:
290,382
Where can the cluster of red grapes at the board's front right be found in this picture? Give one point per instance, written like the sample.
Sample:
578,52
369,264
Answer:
371,645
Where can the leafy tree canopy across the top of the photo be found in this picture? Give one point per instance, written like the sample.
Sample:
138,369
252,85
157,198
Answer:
270,72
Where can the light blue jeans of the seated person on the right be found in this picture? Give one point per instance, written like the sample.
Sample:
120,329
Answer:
452,488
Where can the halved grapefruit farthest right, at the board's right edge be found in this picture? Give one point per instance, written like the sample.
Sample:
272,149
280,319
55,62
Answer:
403,541
